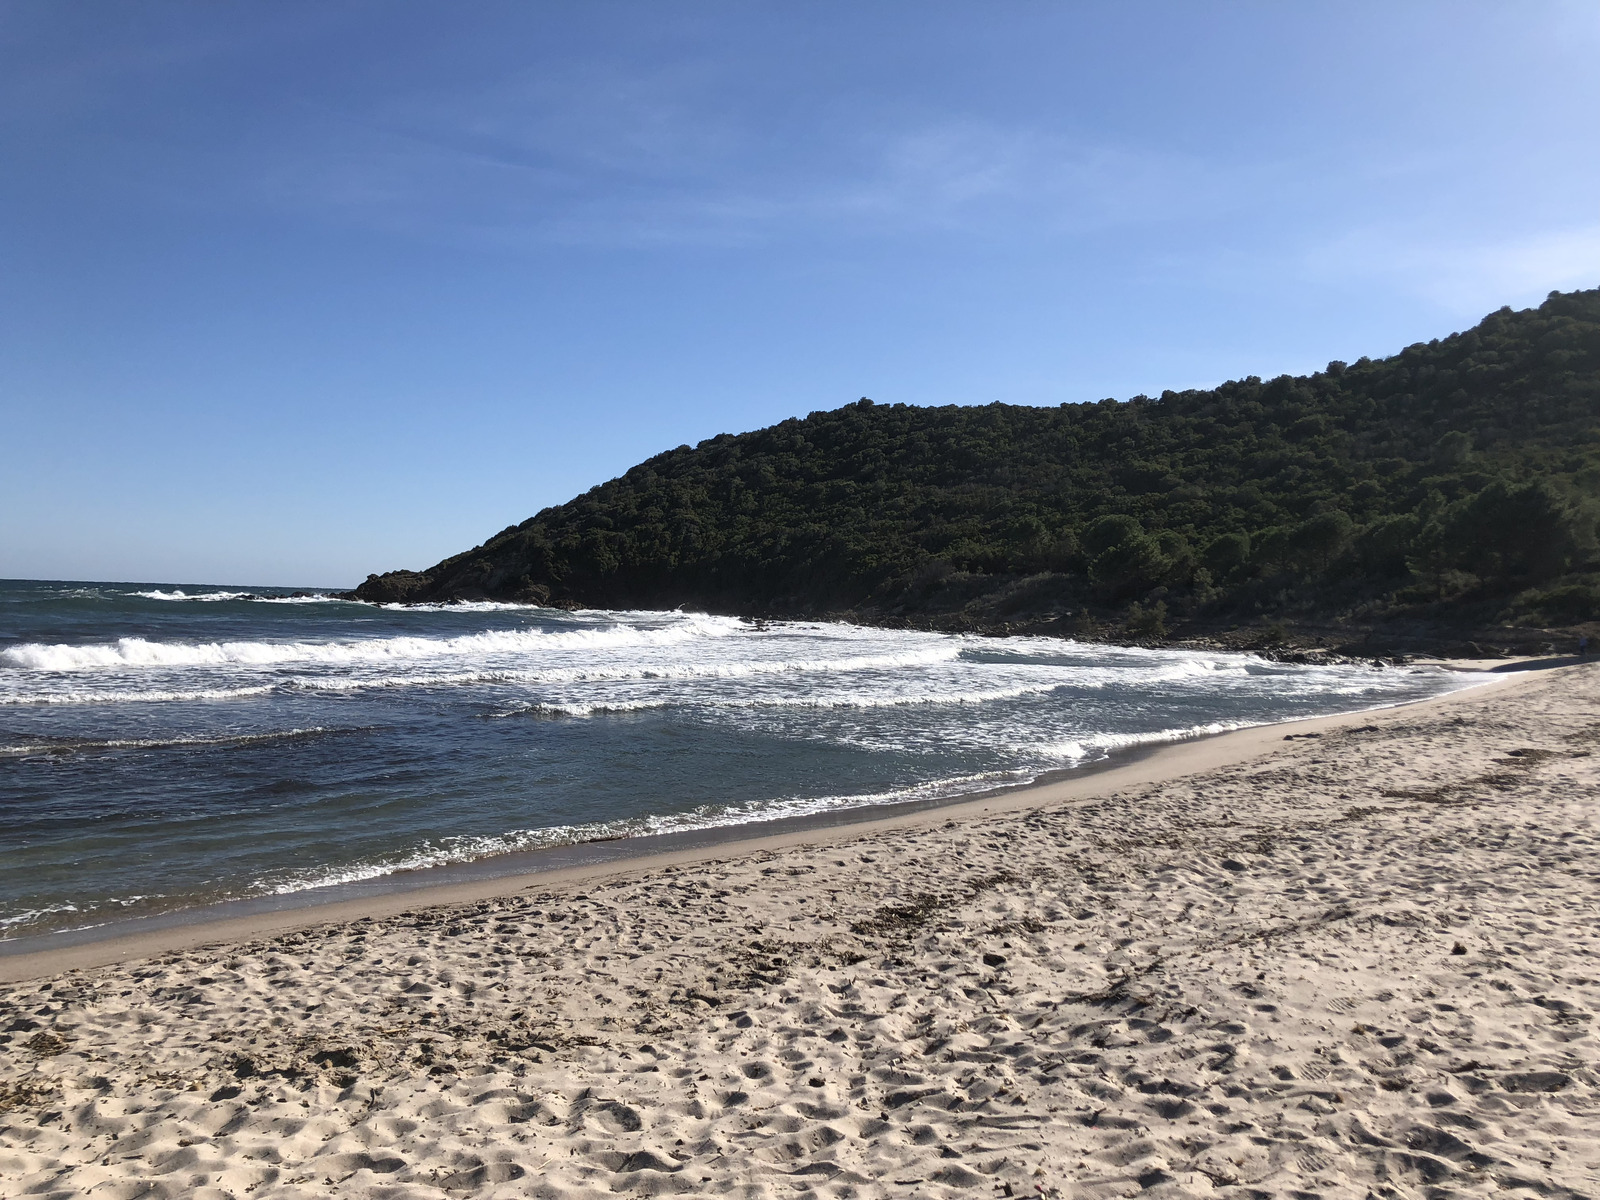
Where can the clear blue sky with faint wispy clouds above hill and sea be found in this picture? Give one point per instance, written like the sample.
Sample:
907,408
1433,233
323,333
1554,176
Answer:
297,290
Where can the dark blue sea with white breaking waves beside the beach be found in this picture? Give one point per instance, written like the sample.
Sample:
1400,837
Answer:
172,748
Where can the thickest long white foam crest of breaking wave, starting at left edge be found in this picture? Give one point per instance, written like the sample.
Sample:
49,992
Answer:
137,652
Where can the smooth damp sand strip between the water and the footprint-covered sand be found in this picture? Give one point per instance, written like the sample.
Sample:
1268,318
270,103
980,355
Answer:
84,948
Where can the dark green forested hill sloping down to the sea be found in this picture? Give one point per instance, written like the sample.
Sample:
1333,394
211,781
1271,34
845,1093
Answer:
1457,478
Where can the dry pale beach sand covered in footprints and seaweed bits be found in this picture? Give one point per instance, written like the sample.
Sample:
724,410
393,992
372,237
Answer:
1361,964
